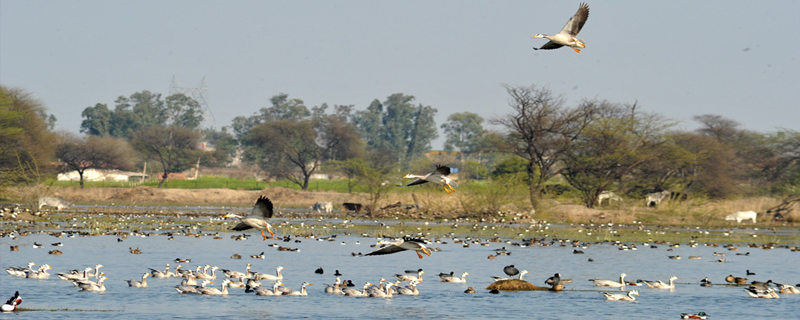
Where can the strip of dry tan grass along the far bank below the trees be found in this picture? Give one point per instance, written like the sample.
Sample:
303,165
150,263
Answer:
436,203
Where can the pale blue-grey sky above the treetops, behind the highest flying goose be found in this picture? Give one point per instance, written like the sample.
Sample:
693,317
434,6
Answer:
737,59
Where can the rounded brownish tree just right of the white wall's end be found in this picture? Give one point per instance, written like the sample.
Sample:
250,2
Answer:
174,147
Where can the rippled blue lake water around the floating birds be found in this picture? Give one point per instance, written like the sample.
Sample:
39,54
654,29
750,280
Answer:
53,298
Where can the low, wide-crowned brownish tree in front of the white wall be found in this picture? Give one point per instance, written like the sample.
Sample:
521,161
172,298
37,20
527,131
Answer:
93,152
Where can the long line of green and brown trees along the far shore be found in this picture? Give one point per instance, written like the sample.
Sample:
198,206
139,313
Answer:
591,147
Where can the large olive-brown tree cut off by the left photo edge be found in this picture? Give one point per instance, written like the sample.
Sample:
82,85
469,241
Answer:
26,143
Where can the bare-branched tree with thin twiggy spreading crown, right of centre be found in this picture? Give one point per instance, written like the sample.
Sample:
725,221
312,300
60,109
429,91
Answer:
541,130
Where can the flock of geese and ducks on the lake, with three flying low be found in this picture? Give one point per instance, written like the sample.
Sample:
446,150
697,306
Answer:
197,281
